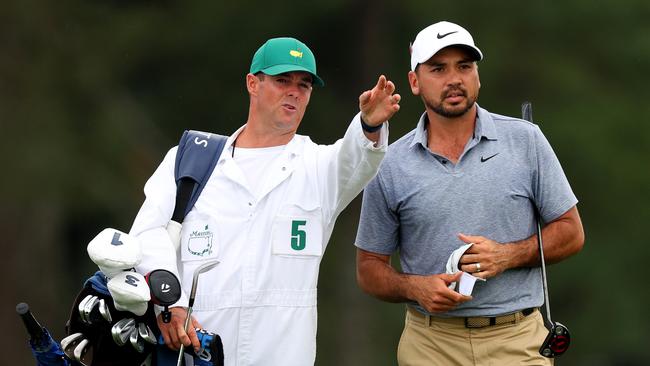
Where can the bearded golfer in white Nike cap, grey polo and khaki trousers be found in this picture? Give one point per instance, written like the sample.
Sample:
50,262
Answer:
464,175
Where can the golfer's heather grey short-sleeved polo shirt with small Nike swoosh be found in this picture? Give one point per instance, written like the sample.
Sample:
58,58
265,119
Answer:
420,201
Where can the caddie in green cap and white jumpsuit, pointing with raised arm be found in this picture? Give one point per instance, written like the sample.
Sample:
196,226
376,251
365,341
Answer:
266,213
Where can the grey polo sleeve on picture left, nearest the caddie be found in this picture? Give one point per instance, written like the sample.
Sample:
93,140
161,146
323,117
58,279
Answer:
379,224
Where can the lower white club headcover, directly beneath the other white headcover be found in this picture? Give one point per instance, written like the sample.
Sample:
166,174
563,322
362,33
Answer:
130,292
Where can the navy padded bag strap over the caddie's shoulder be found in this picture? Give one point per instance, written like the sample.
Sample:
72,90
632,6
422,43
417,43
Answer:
197,155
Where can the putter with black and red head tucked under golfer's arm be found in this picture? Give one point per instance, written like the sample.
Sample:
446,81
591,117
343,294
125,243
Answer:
558,339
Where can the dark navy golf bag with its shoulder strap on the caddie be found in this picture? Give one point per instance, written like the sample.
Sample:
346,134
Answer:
197,155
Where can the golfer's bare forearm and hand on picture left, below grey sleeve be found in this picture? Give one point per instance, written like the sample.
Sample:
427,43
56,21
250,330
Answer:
378,278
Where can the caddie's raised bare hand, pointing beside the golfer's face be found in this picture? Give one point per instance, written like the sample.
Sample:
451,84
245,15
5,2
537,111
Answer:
379,104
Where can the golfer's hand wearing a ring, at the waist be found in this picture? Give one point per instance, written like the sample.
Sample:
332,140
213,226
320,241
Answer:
486,258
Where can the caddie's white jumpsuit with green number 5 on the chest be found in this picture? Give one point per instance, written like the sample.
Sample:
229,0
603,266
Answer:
261,297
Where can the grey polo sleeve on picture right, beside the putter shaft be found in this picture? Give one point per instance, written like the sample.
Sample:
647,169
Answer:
552,192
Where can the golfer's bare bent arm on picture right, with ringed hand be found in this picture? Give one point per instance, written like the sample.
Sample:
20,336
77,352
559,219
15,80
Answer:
562,238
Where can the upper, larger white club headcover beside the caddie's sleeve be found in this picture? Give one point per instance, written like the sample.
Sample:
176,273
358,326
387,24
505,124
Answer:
114,251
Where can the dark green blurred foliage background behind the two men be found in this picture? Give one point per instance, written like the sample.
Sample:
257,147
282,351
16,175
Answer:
92,93
